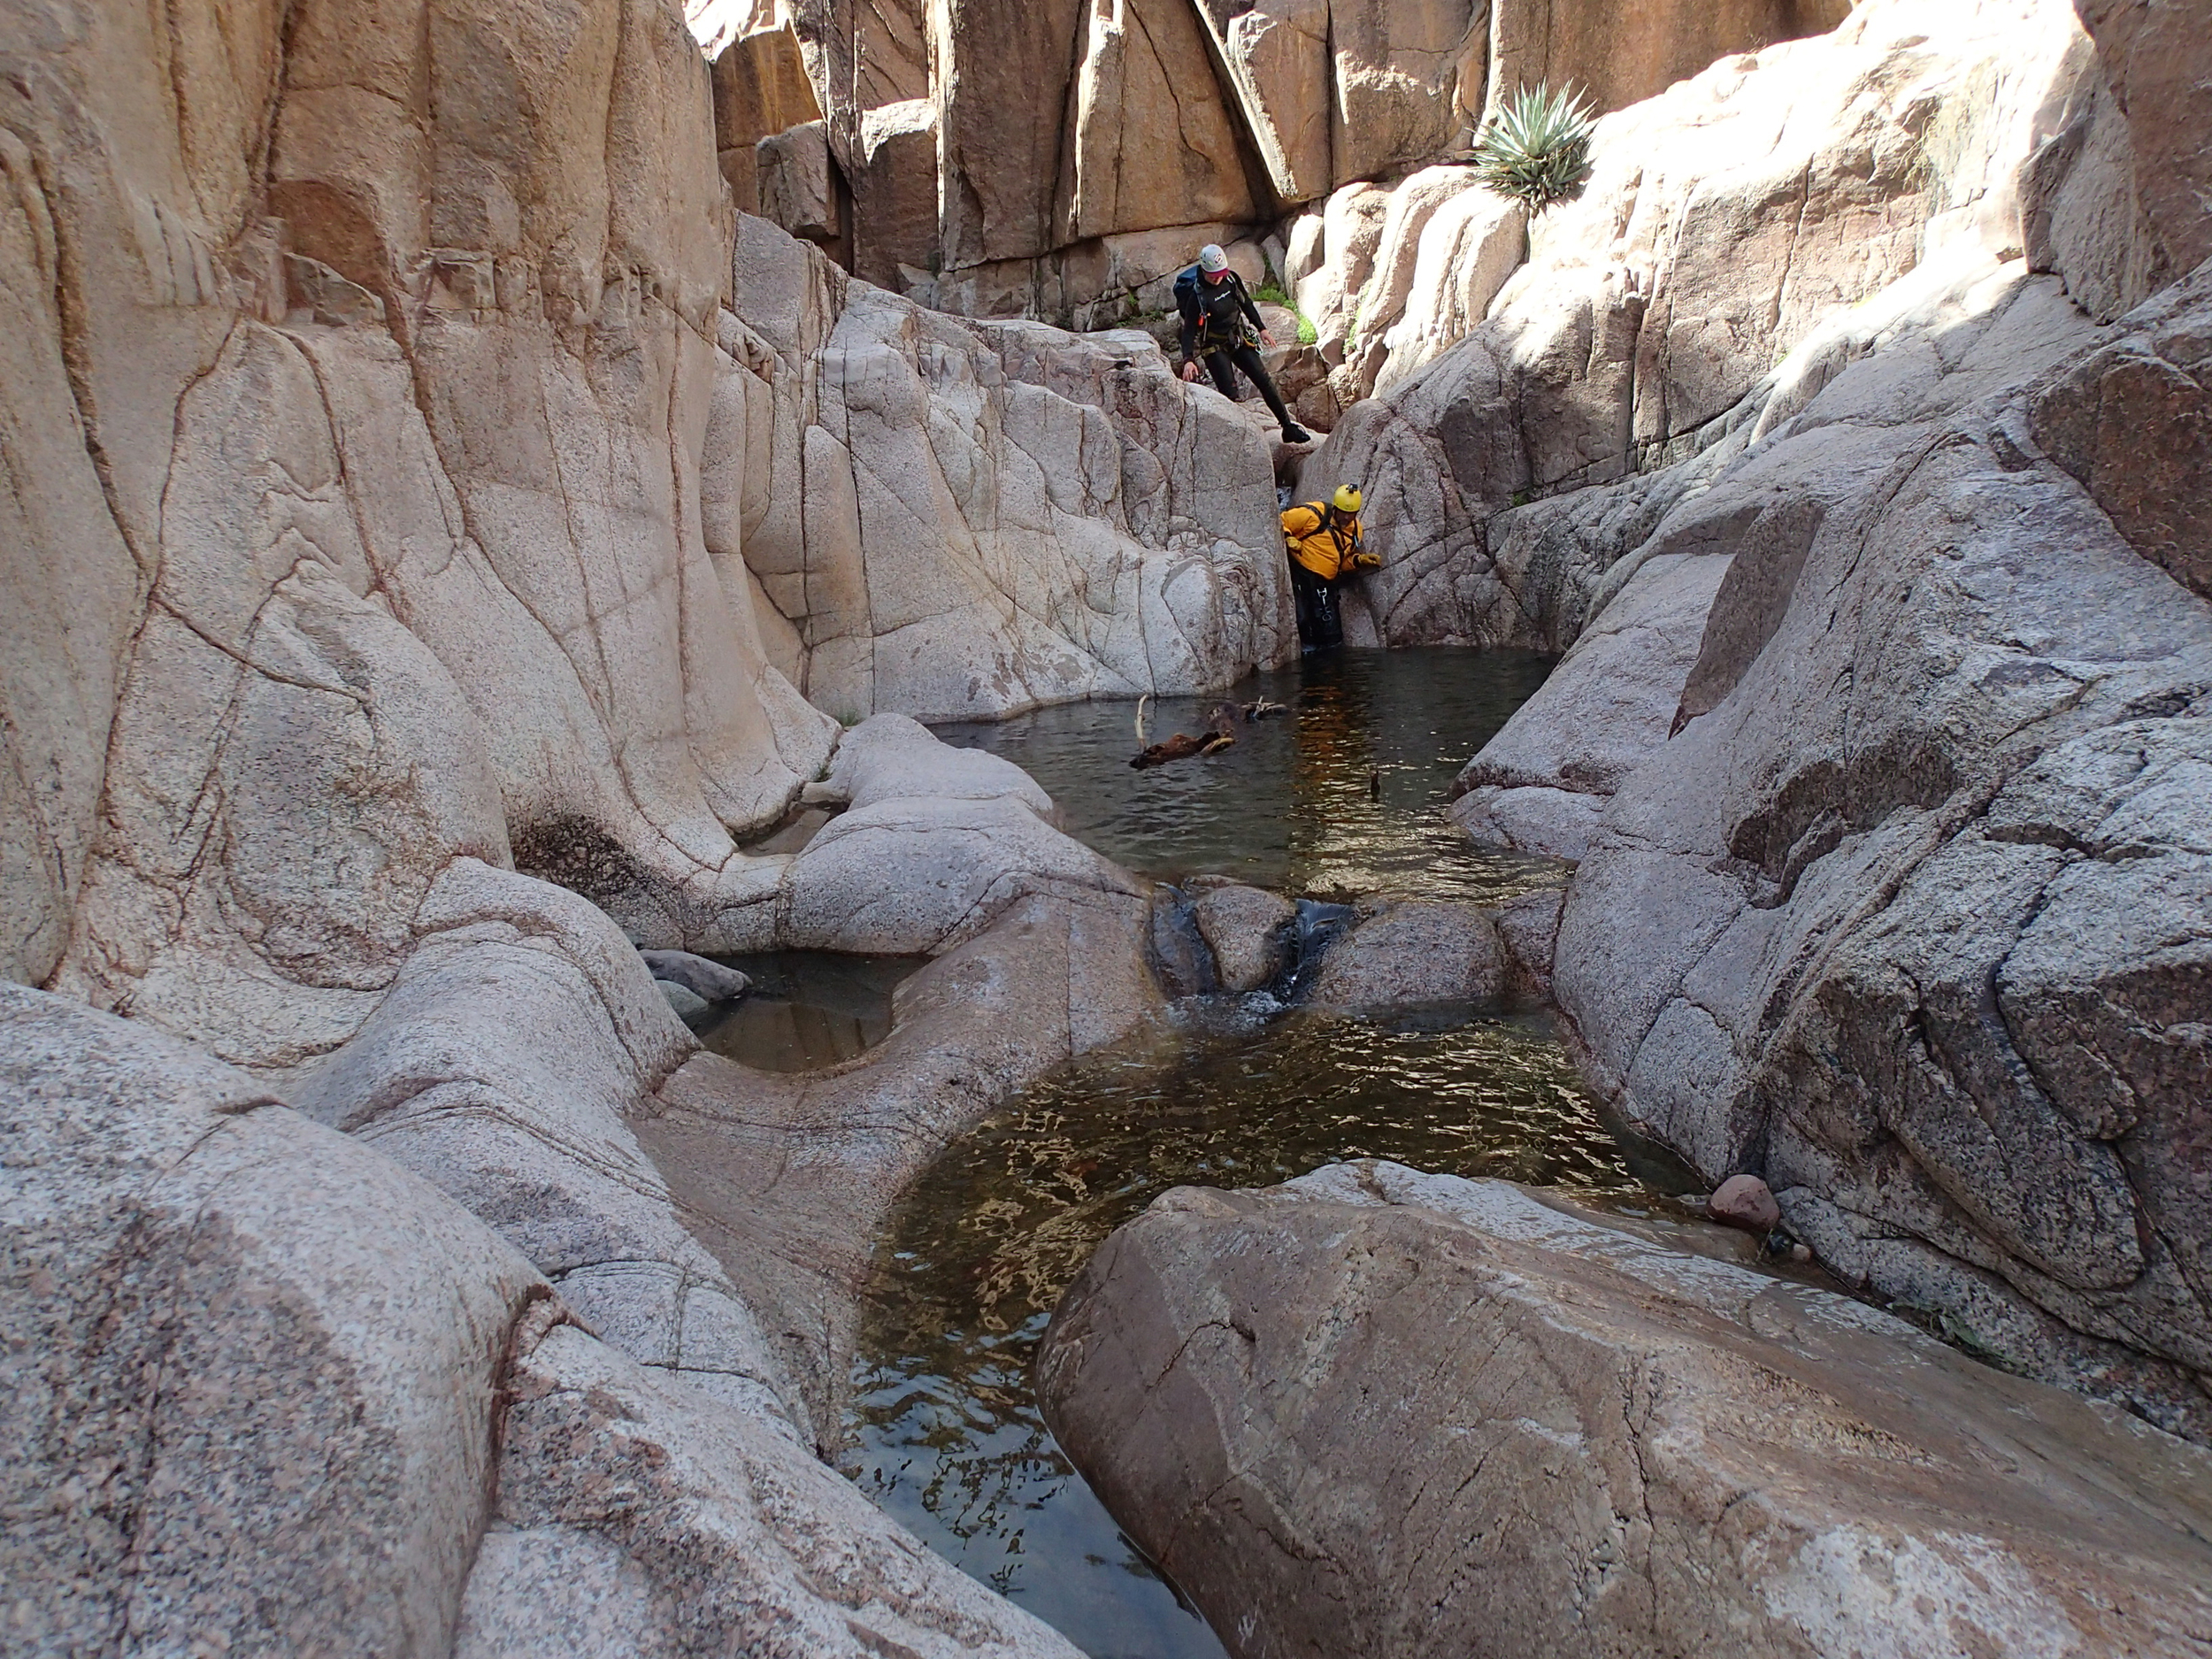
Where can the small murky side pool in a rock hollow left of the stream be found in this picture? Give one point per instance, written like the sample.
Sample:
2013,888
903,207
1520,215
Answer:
806,1010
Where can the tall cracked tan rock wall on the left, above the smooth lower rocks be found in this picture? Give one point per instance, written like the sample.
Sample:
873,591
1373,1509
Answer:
457,519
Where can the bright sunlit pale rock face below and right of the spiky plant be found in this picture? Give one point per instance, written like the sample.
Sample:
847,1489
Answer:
1726,225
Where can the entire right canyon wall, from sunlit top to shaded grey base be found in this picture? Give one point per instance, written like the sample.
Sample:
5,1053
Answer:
1857,470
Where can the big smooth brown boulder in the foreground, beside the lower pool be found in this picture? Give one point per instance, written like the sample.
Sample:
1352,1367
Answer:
1379,1412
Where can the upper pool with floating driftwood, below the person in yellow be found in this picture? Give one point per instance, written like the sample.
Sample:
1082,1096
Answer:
1339,797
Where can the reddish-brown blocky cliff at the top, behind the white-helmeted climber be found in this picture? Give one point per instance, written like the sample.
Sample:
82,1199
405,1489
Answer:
1061,160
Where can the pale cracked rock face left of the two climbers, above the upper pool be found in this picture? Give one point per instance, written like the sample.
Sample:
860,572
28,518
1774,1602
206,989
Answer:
954,519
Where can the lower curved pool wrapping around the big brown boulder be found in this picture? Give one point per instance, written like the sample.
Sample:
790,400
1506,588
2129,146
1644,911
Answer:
1240,1094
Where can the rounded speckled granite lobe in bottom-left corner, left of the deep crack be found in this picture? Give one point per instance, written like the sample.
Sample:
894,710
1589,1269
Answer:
251,1370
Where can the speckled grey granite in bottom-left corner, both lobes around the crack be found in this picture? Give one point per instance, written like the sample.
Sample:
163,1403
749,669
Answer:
264,1384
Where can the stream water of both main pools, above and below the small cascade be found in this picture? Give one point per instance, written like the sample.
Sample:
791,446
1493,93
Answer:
1337,800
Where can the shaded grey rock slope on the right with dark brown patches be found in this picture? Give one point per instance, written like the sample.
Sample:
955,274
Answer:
1835,919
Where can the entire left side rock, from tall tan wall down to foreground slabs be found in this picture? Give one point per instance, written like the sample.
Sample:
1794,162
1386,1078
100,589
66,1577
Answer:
419,470
